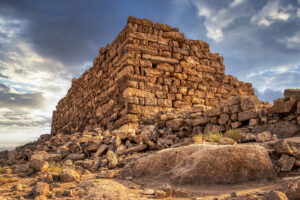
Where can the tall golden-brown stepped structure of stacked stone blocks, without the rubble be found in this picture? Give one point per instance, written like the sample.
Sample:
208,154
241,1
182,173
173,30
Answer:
150,67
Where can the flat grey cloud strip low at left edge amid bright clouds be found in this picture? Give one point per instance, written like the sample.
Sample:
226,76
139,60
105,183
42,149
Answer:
12,100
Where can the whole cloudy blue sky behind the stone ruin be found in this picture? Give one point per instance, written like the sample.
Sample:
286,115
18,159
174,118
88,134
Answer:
44,44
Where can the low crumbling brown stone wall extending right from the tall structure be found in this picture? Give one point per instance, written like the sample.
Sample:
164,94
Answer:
240,112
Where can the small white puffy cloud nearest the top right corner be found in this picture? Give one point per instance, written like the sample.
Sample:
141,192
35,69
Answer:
269,14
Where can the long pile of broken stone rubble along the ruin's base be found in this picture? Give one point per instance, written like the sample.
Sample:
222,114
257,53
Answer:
97,149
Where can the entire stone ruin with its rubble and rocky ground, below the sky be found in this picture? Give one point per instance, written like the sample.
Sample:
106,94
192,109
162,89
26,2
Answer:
157,117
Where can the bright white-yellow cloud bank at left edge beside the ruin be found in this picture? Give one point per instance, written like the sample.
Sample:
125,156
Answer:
30,86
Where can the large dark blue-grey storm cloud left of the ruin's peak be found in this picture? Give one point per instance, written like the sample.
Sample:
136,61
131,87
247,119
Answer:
73,31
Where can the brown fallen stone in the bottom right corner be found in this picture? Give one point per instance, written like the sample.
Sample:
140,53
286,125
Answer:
291,188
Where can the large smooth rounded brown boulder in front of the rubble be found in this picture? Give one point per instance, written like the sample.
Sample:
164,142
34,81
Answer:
205,164
